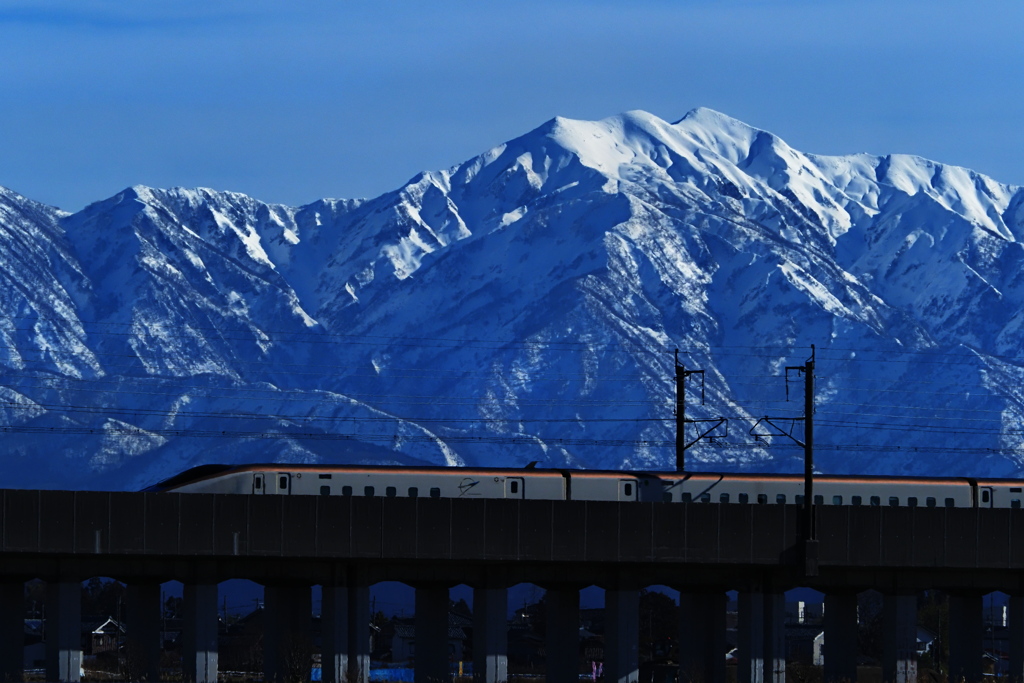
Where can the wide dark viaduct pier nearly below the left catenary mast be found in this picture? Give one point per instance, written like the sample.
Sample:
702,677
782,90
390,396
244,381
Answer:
702,637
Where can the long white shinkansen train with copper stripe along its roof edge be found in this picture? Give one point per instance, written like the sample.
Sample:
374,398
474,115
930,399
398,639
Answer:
686,488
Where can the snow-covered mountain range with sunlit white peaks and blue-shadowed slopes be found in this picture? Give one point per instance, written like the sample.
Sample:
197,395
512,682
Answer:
524,307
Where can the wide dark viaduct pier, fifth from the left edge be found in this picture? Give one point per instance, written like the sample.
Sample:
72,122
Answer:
287,632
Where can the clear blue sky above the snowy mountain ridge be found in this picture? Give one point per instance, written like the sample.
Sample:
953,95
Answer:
294,102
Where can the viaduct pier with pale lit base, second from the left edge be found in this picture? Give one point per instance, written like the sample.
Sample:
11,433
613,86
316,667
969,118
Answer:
64,631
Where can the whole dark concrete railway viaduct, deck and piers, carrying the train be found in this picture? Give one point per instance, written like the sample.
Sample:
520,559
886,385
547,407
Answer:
346,545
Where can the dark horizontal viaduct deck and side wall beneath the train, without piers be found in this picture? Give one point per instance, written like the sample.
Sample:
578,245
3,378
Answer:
44,532
